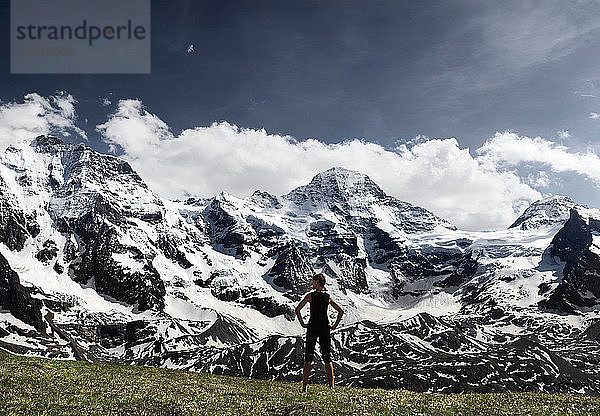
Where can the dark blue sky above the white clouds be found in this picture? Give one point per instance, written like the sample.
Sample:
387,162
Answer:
341,69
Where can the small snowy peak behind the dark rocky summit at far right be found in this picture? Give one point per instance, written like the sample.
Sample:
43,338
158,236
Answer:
545,212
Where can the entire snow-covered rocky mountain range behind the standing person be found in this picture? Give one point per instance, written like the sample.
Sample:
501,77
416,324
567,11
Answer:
95,266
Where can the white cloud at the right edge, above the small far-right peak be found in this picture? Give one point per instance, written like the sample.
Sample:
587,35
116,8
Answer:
510,149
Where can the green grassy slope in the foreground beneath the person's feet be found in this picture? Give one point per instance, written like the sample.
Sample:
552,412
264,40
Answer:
33,386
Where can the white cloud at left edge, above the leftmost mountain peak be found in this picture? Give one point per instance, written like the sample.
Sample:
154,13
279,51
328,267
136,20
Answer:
37,115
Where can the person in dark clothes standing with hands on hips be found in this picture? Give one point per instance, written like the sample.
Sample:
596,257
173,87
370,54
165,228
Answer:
318,327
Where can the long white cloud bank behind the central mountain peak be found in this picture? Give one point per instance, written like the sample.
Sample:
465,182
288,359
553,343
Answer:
436,174
